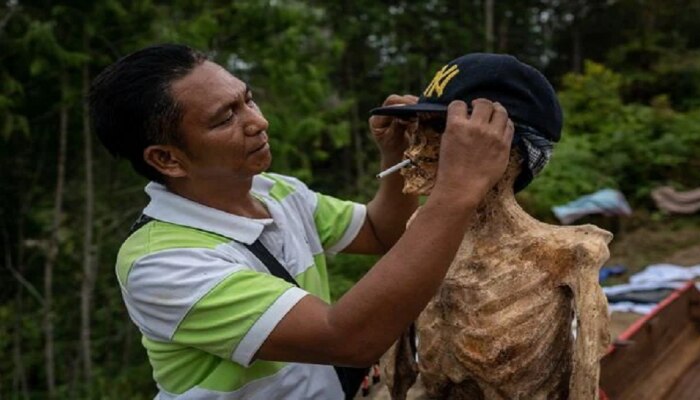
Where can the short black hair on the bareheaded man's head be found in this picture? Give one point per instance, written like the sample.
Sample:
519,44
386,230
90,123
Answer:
131,106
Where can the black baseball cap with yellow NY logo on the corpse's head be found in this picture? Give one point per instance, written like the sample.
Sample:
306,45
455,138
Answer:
523,91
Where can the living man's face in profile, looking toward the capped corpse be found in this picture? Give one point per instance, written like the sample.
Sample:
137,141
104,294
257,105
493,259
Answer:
223,129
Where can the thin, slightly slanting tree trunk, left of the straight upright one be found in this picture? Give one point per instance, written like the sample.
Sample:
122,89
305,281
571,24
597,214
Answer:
52,252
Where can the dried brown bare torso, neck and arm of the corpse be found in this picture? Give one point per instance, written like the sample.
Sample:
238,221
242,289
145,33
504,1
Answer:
500,325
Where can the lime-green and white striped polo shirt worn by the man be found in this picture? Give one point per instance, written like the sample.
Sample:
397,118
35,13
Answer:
205,304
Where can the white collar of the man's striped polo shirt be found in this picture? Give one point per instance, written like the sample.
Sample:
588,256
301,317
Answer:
169,207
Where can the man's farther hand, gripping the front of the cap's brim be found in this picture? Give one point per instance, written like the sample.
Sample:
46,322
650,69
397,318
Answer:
390,132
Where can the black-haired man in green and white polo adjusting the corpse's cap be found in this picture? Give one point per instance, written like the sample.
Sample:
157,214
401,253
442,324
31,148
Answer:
215,322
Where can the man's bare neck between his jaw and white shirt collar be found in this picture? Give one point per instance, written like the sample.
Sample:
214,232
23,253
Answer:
233,197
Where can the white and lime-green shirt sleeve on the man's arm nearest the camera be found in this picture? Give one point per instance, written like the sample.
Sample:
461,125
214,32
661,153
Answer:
197,298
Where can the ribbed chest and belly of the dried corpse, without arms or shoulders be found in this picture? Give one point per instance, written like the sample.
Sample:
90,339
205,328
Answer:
497,331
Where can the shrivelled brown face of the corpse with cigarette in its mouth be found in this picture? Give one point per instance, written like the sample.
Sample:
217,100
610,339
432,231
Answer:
424,151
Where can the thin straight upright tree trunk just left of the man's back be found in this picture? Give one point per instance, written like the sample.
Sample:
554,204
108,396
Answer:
88,283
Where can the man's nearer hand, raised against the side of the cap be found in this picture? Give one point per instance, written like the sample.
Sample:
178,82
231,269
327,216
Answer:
474,150
